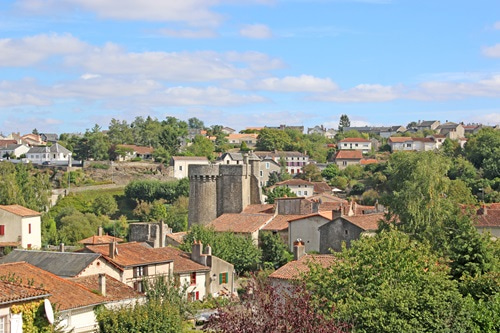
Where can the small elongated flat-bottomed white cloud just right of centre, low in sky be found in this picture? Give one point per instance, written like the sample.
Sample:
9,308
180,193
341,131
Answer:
303,83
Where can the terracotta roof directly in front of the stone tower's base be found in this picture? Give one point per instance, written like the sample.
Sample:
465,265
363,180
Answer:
240,223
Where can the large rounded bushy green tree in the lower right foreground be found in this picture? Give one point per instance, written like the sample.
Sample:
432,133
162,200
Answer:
389,283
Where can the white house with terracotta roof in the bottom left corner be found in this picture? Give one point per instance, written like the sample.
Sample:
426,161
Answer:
17,293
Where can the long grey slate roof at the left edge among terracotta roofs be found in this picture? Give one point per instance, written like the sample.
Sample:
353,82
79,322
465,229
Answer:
63,264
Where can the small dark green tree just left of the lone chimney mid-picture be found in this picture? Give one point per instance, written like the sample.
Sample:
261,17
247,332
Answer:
274,250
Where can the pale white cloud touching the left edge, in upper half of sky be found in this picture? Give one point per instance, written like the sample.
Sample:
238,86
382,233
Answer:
33,49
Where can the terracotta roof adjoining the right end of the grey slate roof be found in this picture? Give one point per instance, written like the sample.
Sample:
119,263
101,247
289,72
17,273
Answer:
129,254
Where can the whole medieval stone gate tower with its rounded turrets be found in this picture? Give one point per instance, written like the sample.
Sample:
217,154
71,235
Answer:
218,189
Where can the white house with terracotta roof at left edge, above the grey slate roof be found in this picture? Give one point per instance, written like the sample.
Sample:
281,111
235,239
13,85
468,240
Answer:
20,226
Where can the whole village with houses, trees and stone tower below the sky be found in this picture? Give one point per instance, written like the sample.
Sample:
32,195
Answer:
173,226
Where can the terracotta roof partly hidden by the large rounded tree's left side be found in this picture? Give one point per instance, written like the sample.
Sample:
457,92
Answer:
294,269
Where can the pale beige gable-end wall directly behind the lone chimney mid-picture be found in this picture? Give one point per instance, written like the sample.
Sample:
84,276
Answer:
306,229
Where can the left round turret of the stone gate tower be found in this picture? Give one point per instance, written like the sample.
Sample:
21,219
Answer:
202,193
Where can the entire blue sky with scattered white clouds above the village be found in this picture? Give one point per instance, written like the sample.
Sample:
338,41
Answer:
66,65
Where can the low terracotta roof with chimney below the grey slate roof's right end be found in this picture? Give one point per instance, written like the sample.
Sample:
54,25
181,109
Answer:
115,290
